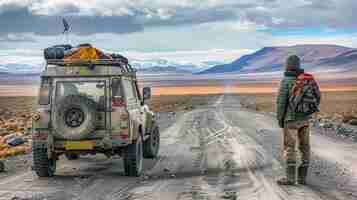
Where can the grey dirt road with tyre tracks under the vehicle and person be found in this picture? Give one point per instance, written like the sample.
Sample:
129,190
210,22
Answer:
218,152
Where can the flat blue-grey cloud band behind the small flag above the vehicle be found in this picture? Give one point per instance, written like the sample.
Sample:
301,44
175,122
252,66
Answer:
21,20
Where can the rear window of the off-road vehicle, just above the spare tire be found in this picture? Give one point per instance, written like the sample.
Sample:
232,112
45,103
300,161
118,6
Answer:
94,90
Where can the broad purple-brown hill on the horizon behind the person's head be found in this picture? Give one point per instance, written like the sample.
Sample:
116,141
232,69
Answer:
273,59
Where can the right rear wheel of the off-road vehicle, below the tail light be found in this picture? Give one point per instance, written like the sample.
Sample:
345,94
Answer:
133,158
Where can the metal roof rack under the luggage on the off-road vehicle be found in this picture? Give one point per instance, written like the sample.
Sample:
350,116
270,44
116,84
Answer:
125,67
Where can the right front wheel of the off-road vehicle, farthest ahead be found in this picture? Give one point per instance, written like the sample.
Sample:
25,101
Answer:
152,145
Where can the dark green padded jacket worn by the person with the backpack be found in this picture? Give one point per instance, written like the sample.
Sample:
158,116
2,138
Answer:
284,113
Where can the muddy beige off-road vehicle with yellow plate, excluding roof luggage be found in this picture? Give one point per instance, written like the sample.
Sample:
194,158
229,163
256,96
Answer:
90,107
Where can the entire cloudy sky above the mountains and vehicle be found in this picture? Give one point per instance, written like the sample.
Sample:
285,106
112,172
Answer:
181,30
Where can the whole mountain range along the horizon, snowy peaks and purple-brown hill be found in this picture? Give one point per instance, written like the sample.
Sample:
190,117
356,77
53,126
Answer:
267,59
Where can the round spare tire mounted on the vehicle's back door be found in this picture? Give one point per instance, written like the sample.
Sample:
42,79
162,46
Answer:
74,117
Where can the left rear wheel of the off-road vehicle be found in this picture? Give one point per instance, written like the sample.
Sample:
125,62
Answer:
43,166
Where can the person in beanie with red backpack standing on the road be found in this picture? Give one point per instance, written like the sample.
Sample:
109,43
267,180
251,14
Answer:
298,98
